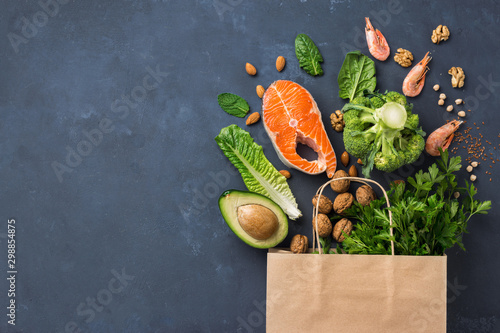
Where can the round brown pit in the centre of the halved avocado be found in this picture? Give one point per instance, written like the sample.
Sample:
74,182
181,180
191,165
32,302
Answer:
258,221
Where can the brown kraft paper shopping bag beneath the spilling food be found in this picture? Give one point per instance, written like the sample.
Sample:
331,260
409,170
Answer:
355,293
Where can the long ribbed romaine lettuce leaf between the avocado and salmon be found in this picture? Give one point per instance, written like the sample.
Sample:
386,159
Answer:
259,175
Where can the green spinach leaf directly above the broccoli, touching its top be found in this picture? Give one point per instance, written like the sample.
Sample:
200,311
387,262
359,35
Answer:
357,74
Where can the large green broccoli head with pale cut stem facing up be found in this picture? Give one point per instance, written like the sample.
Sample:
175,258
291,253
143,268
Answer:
382,131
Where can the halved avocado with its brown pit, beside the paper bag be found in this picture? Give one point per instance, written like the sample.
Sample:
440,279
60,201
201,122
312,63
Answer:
255,219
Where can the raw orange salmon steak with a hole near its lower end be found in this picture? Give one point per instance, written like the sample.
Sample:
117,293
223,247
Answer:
291,116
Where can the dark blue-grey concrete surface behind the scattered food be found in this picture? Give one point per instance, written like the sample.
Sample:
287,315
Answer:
142,203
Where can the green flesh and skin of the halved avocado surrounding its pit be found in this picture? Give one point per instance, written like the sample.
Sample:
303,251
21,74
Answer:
230,200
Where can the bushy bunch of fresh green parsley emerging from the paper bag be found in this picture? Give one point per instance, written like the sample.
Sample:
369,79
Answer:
428,216
